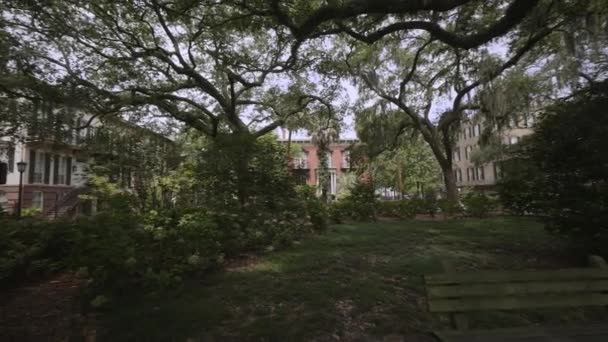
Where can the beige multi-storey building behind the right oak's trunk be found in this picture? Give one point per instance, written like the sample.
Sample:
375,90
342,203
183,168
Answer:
466,172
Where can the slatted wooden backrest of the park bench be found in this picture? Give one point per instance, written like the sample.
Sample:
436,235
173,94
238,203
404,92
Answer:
510,290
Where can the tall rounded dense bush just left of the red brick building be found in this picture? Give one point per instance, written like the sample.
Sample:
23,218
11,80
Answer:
245,185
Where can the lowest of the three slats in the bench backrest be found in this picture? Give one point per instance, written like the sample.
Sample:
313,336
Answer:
520,302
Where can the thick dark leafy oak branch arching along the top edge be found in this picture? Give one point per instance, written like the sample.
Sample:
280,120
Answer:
370,21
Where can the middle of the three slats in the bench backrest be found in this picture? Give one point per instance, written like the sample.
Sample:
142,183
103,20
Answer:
521,288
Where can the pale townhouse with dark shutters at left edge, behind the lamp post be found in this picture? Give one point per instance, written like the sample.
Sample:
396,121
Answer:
50,148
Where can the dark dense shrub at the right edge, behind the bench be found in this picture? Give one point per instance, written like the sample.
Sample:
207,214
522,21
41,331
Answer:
568,159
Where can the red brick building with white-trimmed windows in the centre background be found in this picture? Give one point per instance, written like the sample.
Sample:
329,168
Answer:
306,164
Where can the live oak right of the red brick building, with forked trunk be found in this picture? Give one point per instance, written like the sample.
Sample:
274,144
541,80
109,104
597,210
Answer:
430,66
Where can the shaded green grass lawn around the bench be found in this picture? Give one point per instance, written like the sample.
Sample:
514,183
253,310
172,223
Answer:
356,281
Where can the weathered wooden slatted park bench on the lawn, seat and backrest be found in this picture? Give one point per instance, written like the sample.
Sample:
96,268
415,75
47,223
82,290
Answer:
456,293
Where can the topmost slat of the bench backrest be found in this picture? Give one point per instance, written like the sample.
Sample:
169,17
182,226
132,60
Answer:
516,276
